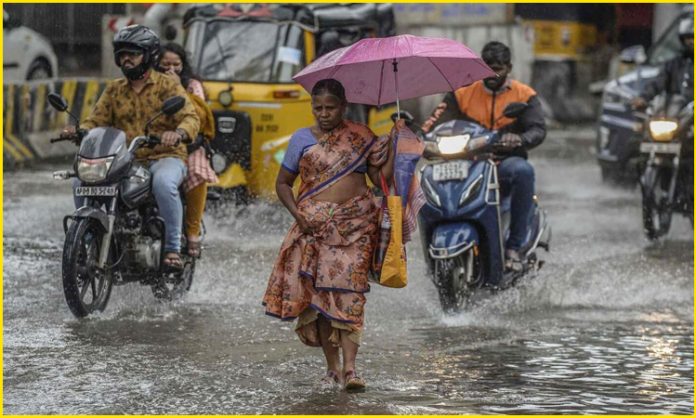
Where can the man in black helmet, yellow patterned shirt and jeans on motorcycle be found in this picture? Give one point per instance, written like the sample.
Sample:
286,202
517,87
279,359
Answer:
128,103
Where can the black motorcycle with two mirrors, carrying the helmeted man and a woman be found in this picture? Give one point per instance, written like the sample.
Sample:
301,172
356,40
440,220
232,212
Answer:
117,235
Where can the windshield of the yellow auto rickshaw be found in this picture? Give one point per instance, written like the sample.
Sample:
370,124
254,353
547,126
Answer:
246,51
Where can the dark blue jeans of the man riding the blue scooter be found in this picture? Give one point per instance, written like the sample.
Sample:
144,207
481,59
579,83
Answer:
516,177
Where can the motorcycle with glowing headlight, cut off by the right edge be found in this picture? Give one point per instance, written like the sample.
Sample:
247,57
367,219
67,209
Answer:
667,180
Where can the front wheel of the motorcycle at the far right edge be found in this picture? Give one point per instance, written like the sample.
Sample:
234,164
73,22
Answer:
657,211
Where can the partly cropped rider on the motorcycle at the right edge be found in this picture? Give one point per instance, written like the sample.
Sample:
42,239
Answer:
677,74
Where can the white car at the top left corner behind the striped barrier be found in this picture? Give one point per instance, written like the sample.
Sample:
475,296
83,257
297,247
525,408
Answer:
27,55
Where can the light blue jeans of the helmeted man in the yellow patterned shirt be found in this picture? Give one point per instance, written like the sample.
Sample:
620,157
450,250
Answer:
167,175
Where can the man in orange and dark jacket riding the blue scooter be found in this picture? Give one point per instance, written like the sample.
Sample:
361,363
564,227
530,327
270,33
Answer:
483,102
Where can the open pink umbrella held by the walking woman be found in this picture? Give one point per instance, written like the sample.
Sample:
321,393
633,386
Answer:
377,71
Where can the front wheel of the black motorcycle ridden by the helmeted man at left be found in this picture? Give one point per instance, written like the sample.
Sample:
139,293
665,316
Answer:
87,288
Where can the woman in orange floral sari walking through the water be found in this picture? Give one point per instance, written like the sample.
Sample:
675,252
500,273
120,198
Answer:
320,276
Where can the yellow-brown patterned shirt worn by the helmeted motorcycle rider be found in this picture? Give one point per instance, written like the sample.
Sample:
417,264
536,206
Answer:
121,107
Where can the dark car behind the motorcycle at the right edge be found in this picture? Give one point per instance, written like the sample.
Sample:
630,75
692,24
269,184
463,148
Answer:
620,128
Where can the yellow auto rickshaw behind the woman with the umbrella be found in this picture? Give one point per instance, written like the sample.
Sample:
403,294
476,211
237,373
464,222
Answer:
246,56
